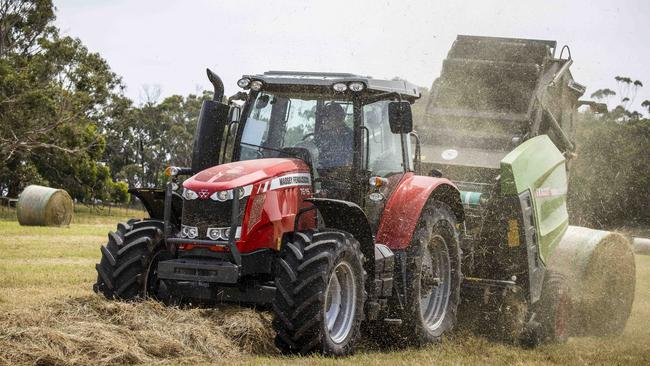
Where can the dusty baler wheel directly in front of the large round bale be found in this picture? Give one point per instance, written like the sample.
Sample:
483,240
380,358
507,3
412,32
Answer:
552,312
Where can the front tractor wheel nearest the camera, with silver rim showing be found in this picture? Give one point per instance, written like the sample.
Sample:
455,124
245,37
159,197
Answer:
320,293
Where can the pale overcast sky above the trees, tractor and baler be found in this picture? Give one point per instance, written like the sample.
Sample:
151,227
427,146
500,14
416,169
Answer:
167,45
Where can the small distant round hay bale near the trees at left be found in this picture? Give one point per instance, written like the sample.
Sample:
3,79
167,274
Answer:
44,206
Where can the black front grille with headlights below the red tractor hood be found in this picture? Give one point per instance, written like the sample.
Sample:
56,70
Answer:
208,213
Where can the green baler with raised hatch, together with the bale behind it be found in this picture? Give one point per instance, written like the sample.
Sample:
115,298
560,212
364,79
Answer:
500,124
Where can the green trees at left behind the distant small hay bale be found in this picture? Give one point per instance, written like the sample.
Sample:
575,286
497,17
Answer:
65,121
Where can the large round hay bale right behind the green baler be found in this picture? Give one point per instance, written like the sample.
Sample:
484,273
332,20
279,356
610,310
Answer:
601,272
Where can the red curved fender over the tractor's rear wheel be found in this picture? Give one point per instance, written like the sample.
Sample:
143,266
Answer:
403,209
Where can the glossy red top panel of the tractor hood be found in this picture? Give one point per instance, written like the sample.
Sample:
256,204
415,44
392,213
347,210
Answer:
242,173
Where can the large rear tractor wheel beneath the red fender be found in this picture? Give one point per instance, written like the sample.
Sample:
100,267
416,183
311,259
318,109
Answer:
433,277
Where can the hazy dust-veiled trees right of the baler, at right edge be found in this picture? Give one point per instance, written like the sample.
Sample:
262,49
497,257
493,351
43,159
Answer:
609,182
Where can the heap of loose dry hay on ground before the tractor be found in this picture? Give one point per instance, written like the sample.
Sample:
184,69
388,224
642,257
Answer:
90,330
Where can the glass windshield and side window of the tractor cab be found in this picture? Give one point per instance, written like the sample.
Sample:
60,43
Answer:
324,127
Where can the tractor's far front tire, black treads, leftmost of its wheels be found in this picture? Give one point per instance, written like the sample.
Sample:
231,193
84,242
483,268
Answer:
127,269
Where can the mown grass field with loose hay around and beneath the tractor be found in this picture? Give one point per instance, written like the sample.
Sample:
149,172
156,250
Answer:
49,315
